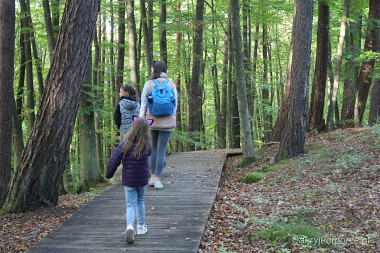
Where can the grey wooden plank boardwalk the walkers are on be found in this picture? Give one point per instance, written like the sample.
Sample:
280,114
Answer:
176,216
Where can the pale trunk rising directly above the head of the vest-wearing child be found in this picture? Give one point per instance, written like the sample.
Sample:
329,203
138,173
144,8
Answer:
132,63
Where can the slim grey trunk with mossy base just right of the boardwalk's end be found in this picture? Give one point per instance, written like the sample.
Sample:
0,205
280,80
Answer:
245,124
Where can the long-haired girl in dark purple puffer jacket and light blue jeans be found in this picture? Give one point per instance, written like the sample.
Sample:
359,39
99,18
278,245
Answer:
134,152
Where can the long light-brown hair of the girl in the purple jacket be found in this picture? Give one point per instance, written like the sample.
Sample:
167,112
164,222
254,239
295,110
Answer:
139,133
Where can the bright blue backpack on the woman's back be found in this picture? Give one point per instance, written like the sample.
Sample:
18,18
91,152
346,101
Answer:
161,100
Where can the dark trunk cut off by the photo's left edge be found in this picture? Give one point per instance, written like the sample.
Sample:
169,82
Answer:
7,48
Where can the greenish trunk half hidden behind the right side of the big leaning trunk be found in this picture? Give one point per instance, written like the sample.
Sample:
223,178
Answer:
89,173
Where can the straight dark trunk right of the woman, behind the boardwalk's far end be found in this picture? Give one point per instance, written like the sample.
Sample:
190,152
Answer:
194,104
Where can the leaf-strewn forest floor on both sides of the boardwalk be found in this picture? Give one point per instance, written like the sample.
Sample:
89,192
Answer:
327,200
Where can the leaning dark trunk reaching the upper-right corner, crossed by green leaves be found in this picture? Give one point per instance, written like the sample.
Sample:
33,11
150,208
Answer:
367,65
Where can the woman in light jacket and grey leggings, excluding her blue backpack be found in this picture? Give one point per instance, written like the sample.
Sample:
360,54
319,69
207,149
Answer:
162,126
